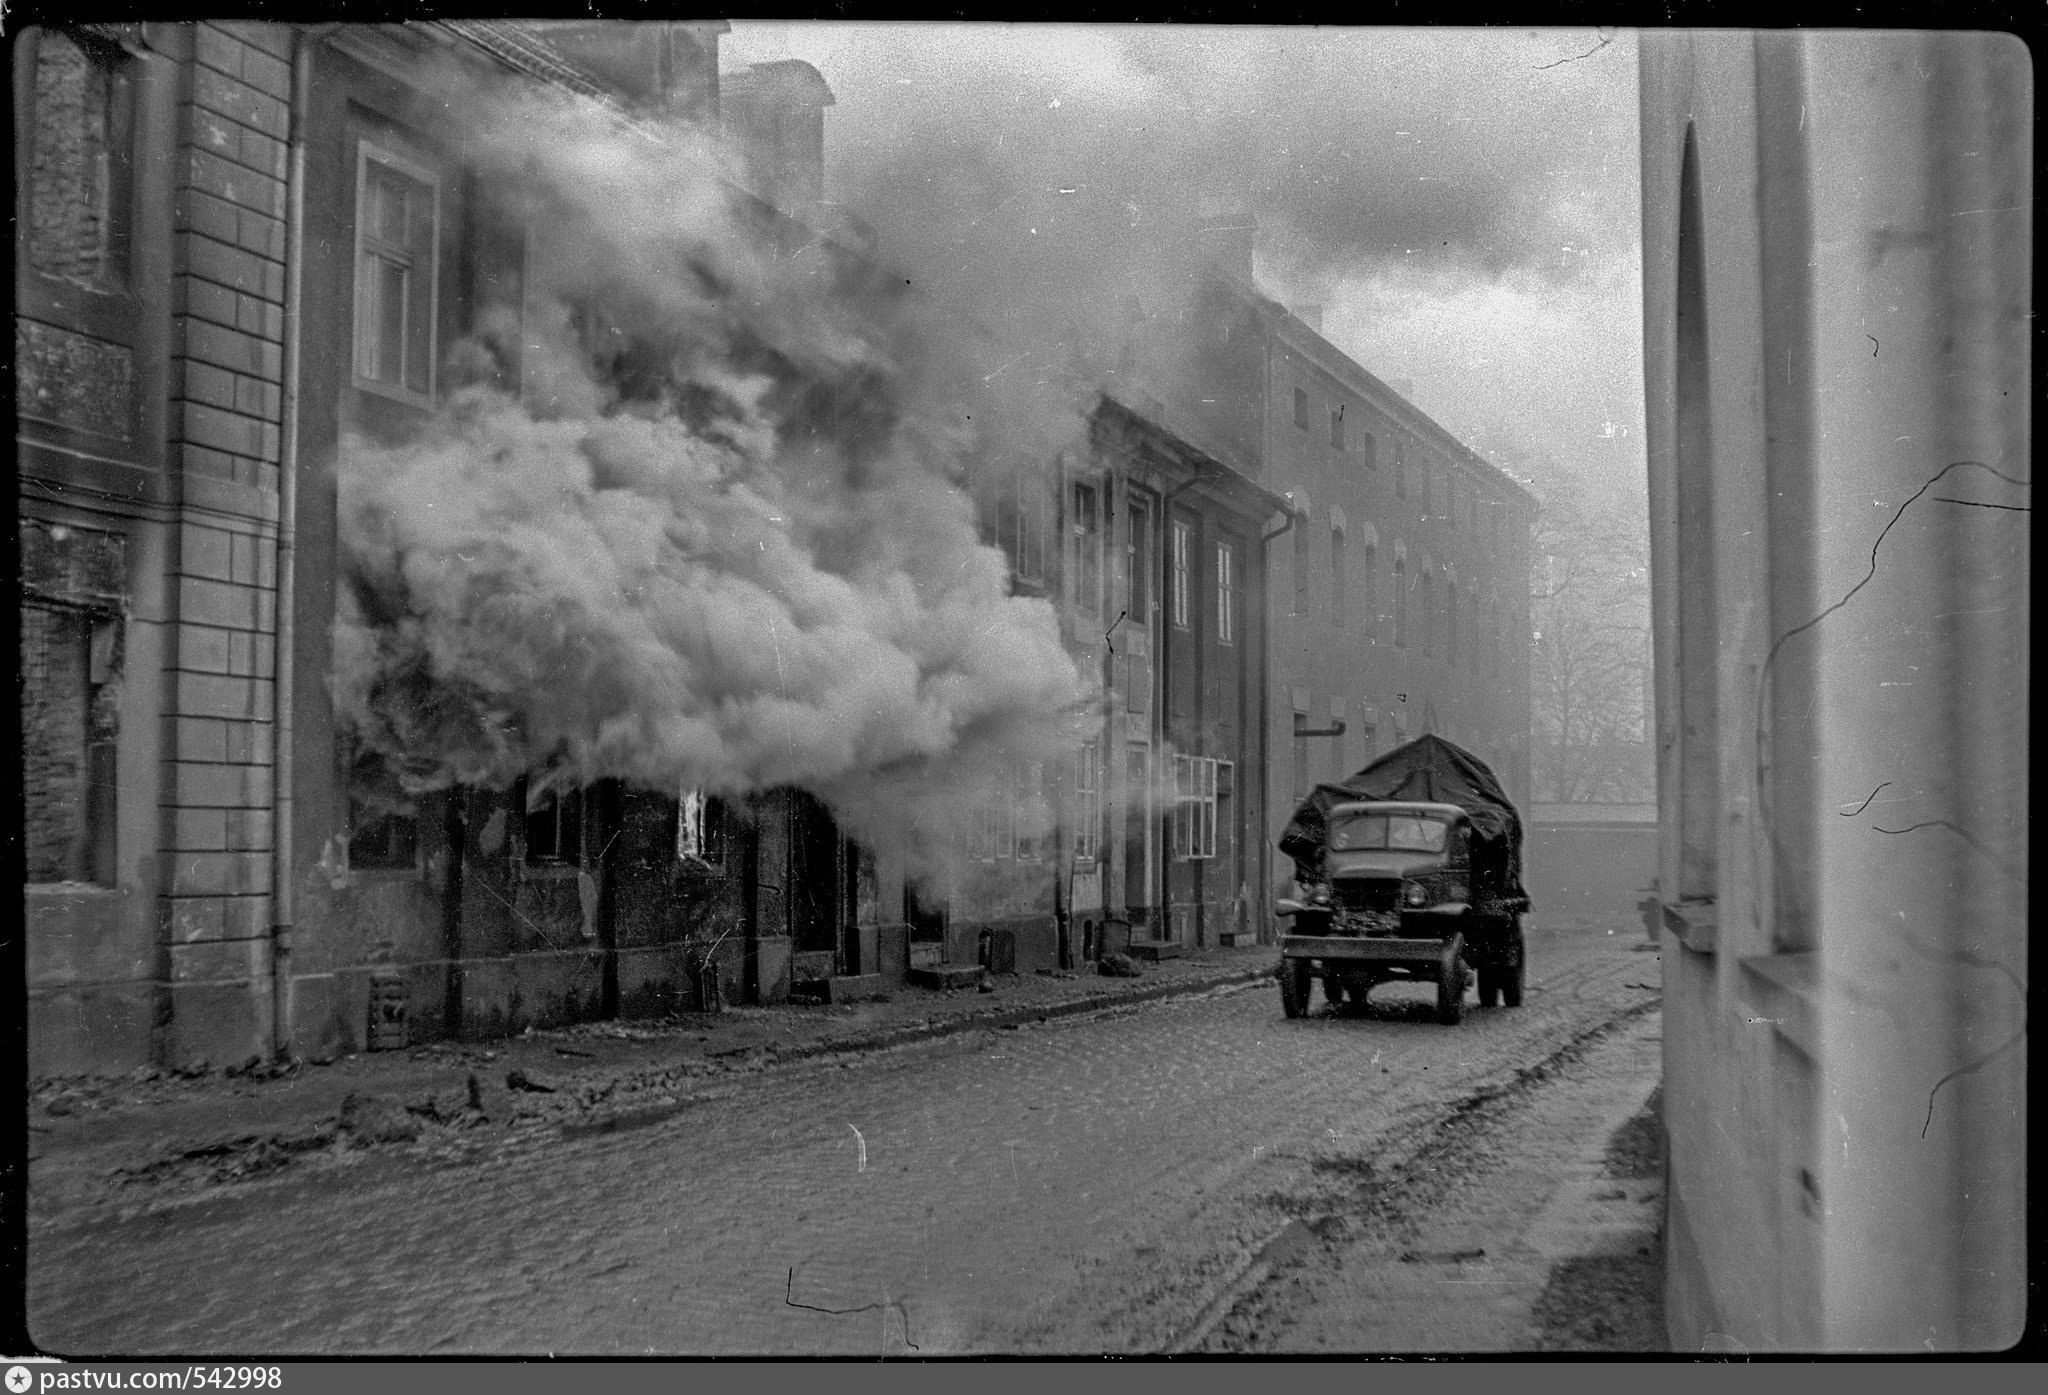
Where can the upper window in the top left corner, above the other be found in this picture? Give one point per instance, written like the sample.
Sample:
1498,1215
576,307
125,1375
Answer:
79,167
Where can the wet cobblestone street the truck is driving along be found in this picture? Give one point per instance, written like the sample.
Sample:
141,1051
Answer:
1095,1185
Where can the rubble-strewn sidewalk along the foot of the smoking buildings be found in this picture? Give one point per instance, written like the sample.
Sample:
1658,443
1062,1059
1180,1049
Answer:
99,1140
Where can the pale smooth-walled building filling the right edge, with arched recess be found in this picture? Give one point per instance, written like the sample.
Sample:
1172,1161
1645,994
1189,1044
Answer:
1836,278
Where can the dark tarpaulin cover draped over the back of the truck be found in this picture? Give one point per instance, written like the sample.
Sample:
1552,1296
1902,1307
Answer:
1431,771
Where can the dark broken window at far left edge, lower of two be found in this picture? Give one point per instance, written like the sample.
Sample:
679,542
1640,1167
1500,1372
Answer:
71,667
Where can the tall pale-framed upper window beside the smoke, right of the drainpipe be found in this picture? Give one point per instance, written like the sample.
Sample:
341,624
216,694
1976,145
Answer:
398,232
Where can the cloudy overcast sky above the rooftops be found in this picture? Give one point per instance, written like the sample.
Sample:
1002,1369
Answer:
1463,204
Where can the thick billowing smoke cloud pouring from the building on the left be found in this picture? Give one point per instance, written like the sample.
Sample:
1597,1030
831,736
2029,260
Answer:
695,521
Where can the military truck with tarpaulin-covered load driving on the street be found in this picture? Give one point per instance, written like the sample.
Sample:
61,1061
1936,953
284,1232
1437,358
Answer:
1406,872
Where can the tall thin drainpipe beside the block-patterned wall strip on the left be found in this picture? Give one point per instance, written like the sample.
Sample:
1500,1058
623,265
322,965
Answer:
288,544
